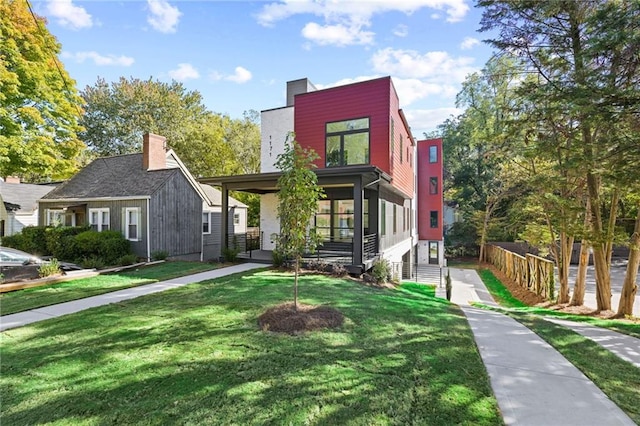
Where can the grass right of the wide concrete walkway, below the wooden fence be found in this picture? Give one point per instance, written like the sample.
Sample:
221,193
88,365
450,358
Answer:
617,378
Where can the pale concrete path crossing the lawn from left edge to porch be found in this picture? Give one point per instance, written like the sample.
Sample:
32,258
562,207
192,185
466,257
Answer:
23,318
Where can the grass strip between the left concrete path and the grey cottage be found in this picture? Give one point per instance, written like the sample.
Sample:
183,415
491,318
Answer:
37,297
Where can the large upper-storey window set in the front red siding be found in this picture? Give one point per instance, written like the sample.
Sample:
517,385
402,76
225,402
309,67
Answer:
347,142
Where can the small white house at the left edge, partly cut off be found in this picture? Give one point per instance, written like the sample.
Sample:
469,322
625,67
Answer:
20,202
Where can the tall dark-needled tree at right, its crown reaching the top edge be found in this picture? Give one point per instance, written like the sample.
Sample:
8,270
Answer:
590,72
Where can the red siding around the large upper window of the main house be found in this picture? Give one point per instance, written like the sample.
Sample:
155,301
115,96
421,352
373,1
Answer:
375,99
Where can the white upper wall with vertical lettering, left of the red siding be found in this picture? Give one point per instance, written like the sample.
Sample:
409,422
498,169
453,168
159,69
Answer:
275,125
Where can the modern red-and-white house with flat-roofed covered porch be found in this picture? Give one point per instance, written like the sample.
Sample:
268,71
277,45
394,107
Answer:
367,166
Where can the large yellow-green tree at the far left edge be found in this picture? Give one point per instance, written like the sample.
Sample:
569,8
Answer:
39,103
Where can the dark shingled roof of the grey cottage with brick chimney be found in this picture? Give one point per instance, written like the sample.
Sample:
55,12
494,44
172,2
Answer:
118,176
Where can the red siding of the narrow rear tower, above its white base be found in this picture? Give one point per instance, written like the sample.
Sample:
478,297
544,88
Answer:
429,202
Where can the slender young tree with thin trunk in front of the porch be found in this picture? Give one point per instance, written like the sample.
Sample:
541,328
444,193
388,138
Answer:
298,202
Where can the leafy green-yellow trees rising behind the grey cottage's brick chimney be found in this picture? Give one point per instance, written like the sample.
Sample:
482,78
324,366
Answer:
119,113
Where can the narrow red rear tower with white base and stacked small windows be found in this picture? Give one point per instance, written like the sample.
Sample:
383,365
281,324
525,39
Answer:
430,203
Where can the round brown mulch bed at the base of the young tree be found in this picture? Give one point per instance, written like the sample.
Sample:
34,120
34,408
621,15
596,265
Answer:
285,319
